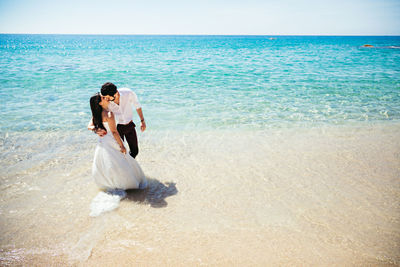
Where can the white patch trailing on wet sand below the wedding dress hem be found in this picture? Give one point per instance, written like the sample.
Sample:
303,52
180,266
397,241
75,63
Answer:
106,201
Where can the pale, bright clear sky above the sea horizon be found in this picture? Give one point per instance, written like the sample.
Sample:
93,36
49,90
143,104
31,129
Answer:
264,17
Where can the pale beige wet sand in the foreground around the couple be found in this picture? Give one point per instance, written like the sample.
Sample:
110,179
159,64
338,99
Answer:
305,197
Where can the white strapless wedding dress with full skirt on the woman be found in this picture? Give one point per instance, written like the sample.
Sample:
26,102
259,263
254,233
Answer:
114,170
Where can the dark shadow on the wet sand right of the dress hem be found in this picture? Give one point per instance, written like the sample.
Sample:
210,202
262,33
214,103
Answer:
155,193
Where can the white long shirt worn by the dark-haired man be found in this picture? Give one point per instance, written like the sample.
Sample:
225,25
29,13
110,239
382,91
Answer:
123,112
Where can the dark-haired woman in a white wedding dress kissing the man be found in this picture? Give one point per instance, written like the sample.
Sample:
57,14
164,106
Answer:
112,169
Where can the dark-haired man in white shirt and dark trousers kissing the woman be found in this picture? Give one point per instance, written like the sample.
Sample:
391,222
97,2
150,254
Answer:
120,103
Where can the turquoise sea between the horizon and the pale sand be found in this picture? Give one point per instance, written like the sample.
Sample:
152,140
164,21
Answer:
201,82
